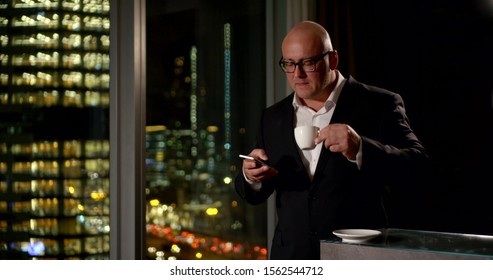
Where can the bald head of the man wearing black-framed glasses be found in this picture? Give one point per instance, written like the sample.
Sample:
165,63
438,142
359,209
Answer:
307,51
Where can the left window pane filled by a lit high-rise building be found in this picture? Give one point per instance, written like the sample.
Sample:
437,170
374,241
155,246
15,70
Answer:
54,129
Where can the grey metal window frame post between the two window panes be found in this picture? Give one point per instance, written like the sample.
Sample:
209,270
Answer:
127,129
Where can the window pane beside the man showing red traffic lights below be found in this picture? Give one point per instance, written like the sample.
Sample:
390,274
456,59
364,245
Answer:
205,90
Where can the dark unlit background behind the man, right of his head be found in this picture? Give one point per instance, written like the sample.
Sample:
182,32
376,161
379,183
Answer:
438,55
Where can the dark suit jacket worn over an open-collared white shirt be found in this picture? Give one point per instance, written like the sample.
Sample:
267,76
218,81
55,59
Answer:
340,195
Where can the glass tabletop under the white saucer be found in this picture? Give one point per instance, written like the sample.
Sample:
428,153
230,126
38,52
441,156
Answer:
429,241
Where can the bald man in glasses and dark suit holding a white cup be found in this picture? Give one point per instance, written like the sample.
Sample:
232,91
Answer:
365,146
